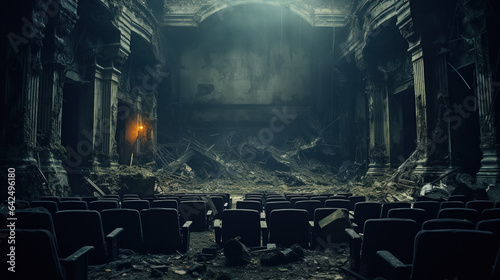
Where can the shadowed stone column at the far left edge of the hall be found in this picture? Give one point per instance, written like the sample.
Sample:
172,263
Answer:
19,115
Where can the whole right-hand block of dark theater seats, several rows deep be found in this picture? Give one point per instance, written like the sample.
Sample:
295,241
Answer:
426,240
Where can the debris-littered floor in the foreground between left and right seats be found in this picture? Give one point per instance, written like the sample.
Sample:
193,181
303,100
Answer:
315,265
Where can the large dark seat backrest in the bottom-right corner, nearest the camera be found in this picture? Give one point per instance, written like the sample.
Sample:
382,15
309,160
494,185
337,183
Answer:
453,254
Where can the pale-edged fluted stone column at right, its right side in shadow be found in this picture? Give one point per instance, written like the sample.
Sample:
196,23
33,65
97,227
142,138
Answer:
430,85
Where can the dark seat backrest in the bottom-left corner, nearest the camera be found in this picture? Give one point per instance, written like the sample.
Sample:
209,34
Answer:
35,256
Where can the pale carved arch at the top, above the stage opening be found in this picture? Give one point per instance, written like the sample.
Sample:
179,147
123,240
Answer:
326,13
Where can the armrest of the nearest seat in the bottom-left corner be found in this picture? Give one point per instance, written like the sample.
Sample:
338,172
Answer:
76,265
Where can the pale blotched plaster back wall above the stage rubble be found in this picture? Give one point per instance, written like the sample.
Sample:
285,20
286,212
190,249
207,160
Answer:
254,56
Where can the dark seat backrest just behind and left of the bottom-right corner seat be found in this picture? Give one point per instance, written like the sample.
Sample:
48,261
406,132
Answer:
392,234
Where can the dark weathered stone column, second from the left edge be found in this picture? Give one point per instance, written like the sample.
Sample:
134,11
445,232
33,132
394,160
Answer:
56,55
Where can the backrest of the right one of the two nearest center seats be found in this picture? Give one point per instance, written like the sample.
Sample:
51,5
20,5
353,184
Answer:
289,226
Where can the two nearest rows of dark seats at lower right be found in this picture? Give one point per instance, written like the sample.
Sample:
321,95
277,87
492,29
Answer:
395,248
